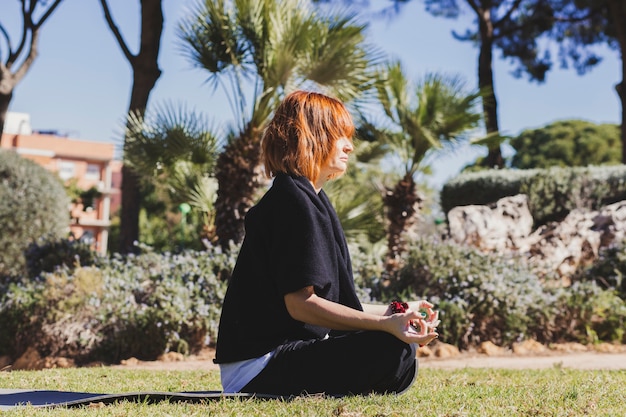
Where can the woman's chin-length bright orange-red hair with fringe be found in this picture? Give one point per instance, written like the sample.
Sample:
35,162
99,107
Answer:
302,134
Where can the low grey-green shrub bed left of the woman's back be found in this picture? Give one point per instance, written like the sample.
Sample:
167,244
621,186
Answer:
139,305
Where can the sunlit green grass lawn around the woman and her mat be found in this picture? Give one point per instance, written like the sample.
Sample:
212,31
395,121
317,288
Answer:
466,392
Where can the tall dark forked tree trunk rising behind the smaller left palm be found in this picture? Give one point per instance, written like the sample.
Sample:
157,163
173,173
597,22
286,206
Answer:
146,72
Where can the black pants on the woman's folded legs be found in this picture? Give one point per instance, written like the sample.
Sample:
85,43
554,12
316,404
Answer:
354,363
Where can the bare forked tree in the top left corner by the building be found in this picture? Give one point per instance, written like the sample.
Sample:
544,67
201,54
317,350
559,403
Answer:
17,59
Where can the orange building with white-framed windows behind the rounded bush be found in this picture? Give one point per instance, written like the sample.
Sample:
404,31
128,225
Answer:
90,165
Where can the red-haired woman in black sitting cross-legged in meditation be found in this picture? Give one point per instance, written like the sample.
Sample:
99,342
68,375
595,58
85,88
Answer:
291,321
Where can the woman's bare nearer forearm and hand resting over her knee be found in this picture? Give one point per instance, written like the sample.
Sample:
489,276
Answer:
304,305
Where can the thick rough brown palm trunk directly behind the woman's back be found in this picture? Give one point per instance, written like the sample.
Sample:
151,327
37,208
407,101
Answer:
237,175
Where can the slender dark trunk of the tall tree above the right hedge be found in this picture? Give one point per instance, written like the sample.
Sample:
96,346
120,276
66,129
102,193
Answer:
485,83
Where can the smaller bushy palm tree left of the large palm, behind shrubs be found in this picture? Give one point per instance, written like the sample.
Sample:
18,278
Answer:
175,151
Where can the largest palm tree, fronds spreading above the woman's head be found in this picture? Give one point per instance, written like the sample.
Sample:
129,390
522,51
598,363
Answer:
268,47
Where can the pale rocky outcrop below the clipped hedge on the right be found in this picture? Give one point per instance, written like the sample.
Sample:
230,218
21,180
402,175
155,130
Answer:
559,247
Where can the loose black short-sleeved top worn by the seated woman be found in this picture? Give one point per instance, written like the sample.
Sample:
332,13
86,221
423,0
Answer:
293,240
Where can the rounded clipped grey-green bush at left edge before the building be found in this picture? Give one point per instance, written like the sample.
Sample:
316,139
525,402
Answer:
33,205
